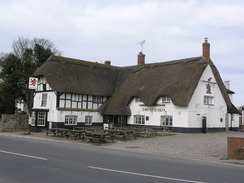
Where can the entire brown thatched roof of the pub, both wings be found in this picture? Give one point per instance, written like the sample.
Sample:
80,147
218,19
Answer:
176,79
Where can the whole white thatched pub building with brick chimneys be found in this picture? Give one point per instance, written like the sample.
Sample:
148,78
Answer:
187,95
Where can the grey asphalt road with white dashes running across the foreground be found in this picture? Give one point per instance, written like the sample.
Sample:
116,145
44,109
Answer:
25,160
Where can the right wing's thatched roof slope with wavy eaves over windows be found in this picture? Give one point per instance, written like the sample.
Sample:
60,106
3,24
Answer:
176,79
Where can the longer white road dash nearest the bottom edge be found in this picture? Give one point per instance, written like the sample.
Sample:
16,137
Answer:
145,175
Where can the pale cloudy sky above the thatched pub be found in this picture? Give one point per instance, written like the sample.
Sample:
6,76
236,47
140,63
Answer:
100,30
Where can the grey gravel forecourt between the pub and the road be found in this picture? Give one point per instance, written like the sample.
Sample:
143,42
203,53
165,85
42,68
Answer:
206,147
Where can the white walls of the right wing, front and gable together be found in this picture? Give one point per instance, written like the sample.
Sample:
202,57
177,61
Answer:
190,116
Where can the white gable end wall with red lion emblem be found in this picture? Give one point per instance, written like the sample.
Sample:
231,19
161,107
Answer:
197,108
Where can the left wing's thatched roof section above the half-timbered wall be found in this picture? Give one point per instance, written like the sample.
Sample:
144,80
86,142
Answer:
77,76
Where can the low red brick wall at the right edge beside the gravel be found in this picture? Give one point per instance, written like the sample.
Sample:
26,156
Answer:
235,148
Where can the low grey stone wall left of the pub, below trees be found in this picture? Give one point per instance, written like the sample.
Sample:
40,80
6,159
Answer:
13,122
